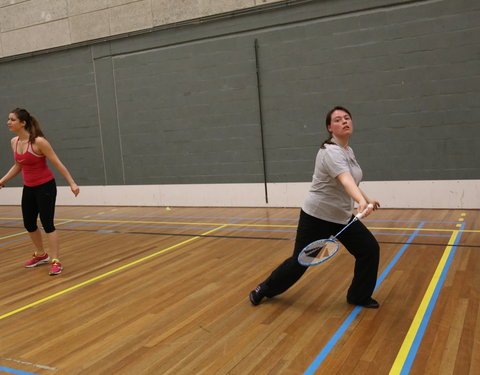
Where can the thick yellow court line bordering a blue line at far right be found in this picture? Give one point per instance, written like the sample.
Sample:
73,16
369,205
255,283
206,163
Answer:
417,320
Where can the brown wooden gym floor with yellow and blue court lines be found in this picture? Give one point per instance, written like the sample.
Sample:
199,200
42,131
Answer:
156,291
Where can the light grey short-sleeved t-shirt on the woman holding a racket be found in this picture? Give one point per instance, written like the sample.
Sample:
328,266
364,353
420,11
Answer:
327,198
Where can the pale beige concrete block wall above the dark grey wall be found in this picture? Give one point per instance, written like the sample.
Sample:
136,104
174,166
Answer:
34,25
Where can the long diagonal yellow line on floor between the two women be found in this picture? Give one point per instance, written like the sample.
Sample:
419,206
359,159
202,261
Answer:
38,302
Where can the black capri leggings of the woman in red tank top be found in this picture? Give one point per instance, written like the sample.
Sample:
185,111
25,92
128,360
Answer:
39,200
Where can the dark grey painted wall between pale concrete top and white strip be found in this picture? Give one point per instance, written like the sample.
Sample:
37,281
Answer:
181,105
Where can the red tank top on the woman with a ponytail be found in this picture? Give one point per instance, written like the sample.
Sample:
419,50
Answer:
35,170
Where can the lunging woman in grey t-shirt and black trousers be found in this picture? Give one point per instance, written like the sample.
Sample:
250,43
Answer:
327,208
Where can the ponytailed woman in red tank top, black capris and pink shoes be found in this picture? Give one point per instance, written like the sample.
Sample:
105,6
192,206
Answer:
31,151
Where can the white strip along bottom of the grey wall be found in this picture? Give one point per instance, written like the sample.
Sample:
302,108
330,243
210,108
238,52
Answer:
464,194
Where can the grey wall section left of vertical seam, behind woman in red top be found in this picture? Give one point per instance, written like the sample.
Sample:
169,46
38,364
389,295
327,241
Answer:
58,88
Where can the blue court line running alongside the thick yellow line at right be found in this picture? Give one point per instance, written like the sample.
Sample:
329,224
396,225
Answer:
426,318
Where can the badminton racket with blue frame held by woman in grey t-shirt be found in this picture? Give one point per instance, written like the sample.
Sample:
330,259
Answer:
319,251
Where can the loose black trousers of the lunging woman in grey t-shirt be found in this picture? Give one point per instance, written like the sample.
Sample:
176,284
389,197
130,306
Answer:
357,239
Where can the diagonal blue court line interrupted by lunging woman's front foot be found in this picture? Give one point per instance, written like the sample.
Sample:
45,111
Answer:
338,334
